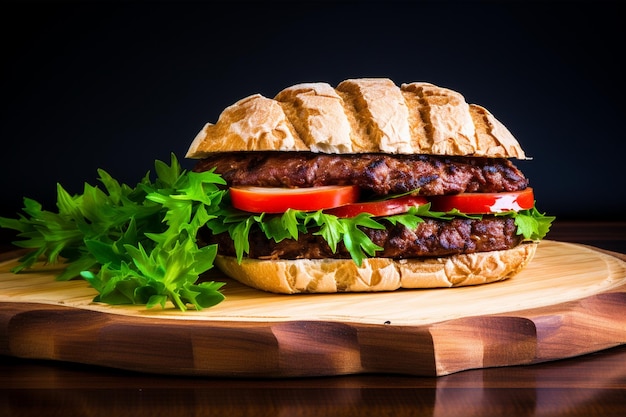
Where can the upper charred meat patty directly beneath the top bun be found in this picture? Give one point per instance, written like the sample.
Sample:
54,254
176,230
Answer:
378,174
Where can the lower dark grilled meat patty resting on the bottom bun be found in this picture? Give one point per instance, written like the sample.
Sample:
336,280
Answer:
432,238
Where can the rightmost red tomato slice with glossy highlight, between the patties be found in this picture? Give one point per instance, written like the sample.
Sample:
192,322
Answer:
484,203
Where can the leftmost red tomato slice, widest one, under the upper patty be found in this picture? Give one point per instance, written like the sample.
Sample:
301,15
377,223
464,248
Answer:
278,200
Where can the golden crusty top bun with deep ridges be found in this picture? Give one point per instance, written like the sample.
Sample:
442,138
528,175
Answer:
359,115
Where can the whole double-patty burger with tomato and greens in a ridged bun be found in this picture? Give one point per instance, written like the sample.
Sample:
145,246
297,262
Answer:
367,186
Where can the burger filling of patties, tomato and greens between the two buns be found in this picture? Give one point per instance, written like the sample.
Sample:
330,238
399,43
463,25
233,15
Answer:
417,184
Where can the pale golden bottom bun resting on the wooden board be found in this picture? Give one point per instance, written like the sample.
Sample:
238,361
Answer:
376,274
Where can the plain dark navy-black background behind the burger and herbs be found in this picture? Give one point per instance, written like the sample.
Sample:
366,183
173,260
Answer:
118,84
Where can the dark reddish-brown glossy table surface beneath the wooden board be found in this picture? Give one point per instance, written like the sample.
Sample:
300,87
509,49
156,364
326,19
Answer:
589,385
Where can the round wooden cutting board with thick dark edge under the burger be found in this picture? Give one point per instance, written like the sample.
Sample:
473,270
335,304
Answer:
570,300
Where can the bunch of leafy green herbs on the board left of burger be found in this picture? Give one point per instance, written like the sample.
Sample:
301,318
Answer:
133,245
